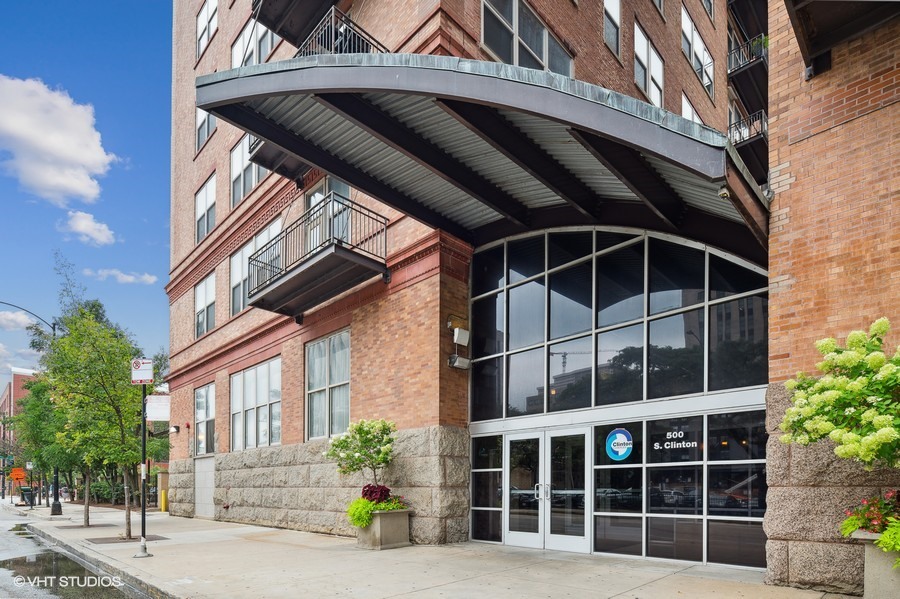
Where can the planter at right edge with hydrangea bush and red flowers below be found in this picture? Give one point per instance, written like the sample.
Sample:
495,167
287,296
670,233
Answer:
856,404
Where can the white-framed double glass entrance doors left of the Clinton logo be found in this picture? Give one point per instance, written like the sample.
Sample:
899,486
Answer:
545,487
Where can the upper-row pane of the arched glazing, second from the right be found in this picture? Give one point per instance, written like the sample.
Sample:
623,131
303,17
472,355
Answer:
676,276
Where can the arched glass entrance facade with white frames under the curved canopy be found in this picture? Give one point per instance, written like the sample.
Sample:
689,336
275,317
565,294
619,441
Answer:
657,345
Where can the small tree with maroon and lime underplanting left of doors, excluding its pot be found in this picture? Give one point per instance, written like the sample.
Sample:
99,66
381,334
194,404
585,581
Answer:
367,447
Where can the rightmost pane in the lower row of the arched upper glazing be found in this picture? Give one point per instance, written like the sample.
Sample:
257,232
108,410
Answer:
738,343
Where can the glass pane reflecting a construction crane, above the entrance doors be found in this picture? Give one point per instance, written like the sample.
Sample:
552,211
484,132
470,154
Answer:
570,375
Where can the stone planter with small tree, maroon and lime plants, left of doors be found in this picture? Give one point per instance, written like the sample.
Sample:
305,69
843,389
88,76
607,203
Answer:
382,518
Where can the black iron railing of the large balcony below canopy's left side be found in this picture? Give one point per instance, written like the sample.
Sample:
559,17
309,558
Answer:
335,220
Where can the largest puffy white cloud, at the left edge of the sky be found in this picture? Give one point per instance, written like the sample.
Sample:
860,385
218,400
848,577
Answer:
56,149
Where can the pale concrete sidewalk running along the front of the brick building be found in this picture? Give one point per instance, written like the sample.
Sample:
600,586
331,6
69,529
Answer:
202,558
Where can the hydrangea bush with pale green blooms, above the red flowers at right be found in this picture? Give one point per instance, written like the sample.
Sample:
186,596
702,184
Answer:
855,403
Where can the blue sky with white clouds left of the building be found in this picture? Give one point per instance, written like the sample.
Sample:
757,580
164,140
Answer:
84,163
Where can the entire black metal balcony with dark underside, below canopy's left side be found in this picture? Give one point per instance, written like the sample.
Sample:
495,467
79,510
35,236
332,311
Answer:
334,246
